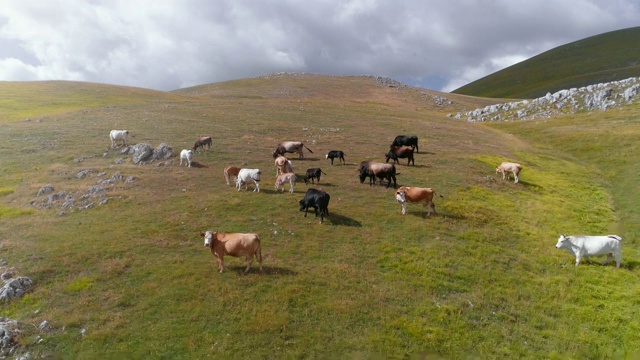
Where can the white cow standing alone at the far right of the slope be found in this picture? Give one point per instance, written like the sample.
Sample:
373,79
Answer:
584,246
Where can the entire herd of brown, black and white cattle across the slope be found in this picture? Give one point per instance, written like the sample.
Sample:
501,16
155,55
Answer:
248,245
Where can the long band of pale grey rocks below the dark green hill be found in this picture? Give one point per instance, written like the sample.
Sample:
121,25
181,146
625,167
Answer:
600,96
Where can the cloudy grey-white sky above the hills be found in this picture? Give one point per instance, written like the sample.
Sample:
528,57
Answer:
172,44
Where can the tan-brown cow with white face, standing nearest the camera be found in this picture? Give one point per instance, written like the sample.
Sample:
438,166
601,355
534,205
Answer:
233,244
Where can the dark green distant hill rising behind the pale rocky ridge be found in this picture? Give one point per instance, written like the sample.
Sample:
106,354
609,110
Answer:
607,57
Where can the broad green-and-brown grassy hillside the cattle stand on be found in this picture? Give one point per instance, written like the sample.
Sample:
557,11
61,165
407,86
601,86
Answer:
480,279
